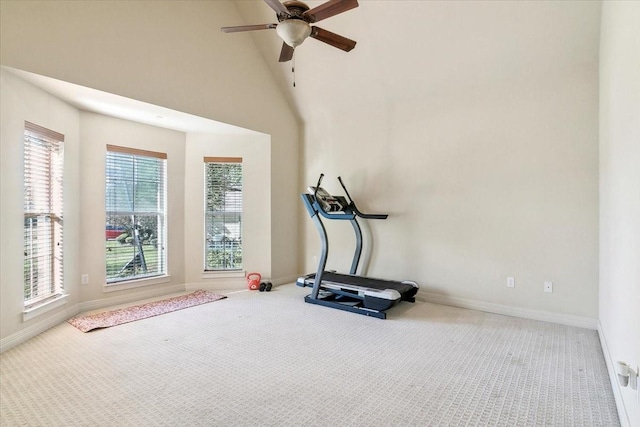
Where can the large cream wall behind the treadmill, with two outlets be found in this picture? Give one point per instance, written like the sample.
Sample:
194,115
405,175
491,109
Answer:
481,183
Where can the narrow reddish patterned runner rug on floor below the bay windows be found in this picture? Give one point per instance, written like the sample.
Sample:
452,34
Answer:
143,311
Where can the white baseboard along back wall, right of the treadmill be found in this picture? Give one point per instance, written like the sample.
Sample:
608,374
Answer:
507,310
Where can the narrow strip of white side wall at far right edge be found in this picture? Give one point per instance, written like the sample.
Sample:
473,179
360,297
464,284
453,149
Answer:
620,191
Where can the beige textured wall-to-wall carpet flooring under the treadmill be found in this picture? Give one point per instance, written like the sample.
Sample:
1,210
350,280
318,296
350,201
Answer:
269,359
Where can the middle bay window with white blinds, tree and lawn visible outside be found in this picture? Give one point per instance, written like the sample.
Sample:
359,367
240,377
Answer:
135,214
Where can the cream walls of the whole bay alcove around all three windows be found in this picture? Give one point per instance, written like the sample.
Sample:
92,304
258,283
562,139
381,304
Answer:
87,136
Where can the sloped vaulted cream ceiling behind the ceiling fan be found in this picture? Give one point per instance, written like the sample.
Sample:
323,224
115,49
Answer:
416,49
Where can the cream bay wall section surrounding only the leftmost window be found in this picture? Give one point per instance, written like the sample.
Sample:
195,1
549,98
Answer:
19,102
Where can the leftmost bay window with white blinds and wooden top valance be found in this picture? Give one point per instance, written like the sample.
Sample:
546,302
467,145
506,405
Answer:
43,224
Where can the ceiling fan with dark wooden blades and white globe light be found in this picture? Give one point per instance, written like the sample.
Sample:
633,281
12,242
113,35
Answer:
294,24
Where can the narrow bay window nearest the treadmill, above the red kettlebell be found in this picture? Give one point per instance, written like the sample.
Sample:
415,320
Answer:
223,213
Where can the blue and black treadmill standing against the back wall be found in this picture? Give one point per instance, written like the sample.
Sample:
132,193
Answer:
349,292
